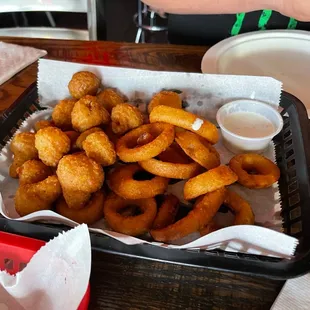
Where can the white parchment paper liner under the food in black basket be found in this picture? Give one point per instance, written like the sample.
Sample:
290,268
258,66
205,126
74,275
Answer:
204,94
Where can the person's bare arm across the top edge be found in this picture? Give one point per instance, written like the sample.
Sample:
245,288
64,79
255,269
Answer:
299,9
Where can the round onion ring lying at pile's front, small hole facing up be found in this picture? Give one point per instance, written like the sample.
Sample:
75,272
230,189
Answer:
129,225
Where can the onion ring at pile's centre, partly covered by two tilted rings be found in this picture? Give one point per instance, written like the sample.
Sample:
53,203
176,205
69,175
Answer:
174,167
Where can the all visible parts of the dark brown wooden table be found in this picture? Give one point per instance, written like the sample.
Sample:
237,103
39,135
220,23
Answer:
127,283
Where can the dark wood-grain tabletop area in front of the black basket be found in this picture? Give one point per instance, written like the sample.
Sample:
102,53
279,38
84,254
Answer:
129,283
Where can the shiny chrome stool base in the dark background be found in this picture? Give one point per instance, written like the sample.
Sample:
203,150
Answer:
145,21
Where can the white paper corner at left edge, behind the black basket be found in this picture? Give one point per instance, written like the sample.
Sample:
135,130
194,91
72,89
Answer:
14,58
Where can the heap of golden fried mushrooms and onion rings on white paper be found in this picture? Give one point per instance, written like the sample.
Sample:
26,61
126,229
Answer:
115,162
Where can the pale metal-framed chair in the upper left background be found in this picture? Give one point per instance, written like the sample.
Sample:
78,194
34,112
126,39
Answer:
47,6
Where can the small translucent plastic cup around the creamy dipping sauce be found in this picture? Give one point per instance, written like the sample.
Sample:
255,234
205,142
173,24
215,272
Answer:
237,143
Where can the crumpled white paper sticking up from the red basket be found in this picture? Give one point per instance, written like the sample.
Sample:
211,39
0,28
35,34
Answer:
56,277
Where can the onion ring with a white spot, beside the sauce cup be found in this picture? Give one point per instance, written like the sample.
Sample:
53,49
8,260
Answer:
186,120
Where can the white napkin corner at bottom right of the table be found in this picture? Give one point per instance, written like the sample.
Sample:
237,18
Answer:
294,295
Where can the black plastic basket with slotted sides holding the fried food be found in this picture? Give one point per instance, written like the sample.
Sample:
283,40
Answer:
293,158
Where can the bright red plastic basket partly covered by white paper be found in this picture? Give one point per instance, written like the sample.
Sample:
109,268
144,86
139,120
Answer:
16,251
